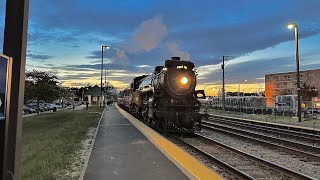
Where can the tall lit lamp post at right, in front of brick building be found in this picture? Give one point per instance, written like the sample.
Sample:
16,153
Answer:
295,27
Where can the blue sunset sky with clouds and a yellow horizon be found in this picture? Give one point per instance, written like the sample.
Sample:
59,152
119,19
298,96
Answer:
65,37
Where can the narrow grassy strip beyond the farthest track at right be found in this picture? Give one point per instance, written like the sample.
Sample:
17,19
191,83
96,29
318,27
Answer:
284,119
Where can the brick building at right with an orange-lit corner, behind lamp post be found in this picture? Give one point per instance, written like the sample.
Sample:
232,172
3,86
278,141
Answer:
286,83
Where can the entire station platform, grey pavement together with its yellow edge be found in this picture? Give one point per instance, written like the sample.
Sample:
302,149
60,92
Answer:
125,148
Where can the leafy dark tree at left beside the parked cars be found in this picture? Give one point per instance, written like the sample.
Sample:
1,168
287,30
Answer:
41,86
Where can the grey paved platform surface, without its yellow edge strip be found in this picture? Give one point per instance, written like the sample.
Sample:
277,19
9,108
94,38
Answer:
120,151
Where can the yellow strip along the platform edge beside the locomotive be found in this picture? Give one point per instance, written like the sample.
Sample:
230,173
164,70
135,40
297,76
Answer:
186,163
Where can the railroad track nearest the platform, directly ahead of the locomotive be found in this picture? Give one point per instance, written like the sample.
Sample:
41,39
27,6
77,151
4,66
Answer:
244,165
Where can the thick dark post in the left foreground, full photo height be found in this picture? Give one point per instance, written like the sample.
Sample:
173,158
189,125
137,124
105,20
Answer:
14,46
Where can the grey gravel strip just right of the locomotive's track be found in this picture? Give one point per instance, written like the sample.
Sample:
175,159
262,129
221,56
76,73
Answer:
309,168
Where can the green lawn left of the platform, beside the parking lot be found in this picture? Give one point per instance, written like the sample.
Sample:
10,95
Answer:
50,142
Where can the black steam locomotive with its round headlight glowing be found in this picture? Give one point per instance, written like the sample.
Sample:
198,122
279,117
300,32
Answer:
166,99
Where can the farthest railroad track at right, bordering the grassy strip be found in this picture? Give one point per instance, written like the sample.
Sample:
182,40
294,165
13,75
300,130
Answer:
312,139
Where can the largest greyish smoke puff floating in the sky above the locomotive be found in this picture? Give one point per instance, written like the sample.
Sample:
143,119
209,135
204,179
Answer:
148,35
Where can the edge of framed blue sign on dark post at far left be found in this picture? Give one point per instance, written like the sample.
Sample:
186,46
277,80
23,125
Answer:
4,74
